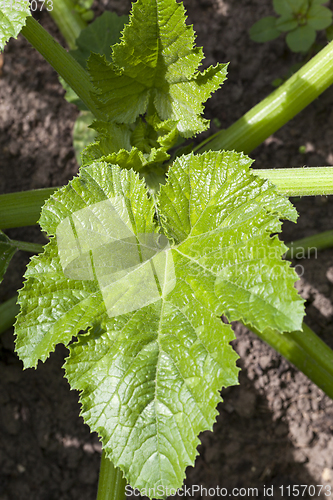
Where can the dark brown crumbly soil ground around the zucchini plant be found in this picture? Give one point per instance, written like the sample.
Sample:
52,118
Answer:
275,428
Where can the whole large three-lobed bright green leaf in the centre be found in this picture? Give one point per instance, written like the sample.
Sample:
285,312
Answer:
155,353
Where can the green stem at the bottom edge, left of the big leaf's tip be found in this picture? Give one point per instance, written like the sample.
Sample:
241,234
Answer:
111,483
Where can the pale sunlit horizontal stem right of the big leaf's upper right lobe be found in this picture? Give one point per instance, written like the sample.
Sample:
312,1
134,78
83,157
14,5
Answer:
300,181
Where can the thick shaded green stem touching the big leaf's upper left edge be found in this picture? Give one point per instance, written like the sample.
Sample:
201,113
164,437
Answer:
22,208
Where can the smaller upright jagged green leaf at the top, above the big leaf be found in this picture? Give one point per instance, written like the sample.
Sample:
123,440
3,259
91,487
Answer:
156,66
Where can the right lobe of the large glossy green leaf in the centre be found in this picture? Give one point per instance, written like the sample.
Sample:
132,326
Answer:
222,217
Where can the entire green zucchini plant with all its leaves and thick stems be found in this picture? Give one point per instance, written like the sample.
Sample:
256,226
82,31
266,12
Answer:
148,247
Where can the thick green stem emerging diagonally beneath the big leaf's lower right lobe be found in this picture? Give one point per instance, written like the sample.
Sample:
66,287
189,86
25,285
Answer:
306,351
